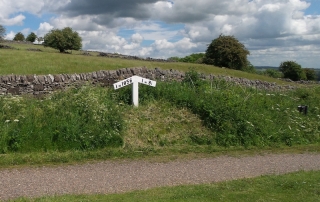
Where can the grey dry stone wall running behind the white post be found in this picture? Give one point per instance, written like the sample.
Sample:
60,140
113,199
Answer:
43,84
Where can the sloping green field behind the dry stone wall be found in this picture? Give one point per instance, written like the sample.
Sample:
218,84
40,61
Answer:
50,61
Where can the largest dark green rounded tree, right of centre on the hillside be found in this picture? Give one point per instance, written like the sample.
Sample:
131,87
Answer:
227,51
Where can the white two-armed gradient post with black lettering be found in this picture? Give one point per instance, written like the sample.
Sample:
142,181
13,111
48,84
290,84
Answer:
134,80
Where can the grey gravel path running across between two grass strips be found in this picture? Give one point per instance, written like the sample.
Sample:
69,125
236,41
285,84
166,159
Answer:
115,177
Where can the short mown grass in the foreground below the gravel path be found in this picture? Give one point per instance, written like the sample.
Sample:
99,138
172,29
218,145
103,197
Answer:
301,186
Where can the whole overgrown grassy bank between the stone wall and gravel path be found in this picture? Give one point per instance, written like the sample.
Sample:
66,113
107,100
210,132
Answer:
92,123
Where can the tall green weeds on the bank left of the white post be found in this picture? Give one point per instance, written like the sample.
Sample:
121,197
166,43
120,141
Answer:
78,119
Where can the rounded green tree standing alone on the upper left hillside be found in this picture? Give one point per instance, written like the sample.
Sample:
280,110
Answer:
65,39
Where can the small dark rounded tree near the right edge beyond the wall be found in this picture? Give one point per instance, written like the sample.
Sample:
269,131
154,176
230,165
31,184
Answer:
292,70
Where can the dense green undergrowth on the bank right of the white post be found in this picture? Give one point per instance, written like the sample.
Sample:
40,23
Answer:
240,116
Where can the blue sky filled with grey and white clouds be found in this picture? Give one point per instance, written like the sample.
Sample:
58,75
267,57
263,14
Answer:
273,31
